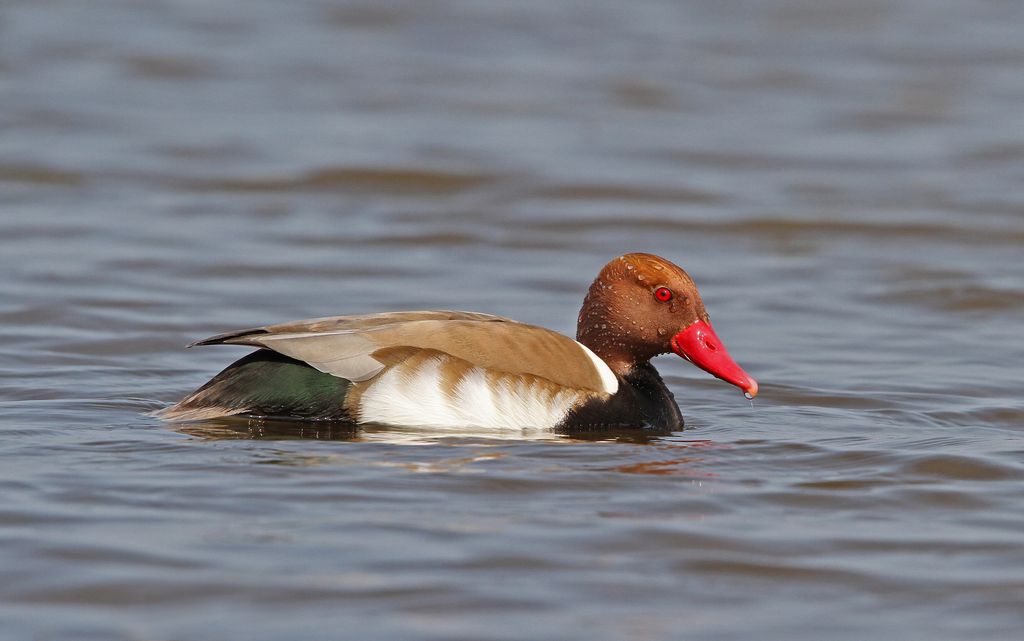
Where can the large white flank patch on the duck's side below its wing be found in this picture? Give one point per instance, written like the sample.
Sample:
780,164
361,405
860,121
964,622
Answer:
415,398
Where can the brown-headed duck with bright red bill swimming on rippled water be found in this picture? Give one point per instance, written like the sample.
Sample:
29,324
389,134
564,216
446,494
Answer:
464,370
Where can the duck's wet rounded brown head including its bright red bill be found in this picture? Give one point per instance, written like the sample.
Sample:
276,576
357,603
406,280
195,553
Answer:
643,306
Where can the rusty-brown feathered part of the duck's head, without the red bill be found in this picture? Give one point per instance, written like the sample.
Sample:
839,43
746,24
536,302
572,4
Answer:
625,323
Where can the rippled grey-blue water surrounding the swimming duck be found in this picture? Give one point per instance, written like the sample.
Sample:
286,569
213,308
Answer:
844,181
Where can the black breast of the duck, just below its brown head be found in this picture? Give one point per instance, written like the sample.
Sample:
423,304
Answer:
643,401
